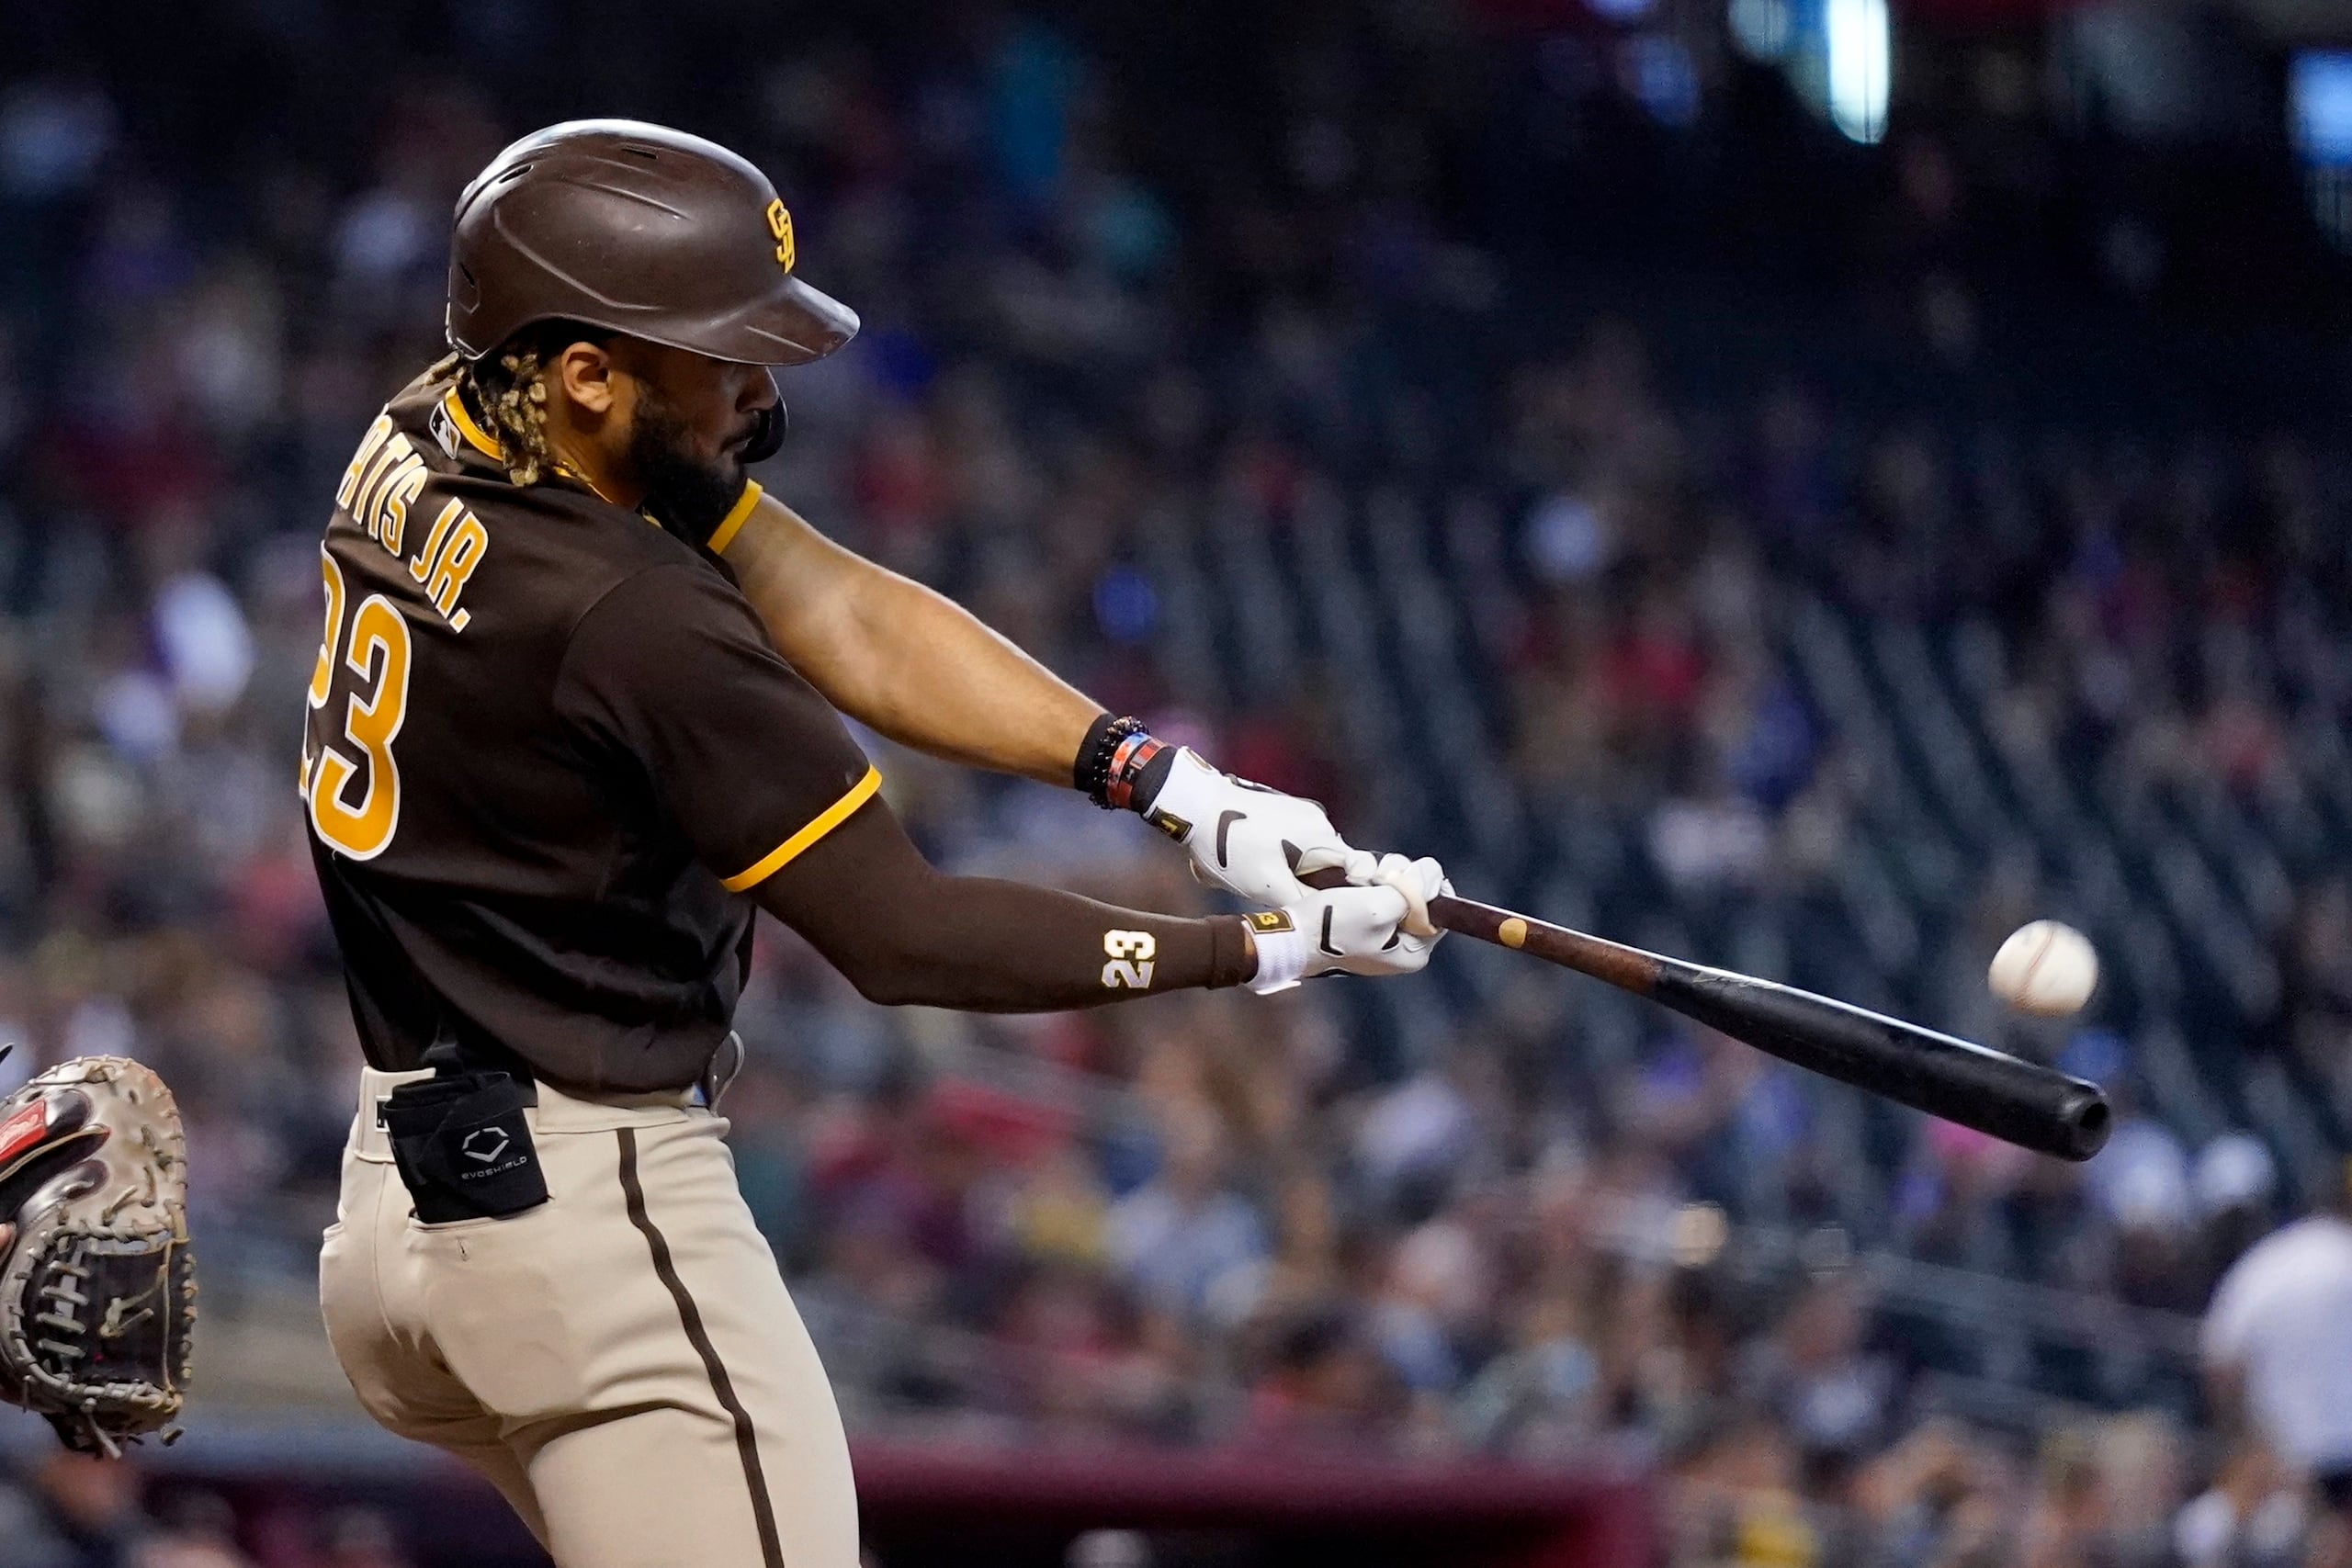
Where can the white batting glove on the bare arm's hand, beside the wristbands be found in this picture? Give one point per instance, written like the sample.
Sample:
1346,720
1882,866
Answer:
1250,840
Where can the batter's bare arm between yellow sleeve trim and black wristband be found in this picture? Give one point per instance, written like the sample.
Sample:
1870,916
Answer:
902,659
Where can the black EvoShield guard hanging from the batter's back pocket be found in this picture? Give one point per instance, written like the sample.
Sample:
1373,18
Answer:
462,1148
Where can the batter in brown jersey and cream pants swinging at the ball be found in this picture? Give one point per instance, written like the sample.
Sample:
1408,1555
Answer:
573,718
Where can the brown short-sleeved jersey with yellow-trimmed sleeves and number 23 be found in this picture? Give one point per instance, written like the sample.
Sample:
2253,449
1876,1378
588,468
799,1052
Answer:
549,749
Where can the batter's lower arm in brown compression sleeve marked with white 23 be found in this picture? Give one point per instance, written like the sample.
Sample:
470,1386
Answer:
914,937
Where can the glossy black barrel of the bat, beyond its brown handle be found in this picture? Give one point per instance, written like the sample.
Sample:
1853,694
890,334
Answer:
1949,1078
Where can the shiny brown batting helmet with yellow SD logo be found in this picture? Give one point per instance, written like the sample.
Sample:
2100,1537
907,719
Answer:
643,232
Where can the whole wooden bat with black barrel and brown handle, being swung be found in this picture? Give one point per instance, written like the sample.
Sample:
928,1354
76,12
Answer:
2017,1101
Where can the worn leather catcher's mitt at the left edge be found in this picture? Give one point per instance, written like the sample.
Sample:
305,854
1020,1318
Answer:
98,1287
